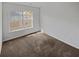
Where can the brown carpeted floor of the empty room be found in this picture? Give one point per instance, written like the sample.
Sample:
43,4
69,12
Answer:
38,45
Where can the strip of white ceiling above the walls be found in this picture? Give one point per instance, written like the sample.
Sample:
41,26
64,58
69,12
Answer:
48,4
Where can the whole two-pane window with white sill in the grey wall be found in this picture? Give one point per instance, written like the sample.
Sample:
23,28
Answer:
21,20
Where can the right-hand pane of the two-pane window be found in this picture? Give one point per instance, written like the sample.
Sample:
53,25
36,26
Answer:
27,19
